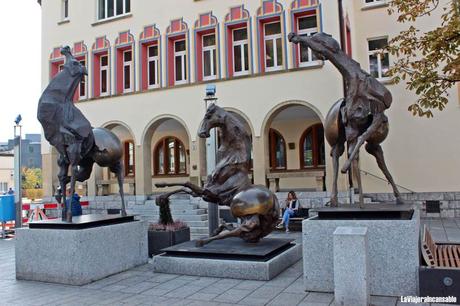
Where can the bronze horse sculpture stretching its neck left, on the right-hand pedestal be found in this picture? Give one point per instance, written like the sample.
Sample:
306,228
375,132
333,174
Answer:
356,119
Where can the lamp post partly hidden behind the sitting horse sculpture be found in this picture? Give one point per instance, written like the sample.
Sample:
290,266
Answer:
211,159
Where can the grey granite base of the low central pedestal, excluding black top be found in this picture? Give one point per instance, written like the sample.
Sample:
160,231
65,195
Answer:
228,268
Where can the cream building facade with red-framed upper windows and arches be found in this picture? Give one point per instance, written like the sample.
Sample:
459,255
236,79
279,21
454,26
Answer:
150,61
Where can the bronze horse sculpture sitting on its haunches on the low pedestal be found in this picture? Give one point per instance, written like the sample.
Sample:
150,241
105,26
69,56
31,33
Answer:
229,184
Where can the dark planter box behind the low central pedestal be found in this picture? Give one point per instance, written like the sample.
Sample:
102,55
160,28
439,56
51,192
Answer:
159,240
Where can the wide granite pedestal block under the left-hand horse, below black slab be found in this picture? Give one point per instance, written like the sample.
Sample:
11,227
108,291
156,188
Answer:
78,257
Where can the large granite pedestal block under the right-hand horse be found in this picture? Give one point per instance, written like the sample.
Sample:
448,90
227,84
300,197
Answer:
393,254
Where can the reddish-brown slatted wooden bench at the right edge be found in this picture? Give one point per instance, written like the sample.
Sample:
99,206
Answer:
441,254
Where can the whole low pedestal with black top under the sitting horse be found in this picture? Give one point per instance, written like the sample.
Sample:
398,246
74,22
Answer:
230,258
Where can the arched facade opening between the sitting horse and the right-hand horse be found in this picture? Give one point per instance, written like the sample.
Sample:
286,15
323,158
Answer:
294,148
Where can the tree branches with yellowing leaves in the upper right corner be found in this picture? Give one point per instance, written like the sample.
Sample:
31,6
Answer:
428,62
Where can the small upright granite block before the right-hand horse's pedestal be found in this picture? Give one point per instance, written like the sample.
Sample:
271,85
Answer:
351,266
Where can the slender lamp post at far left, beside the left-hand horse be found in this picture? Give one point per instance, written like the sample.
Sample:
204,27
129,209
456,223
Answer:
17,171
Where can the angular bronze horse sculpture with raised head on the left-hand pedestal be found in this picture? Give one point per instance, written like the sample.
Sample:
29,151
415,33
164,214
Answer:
78,144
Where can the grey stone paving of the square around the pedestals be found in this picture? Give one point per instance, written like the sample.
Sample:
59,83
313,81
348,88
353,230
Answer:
141,286
